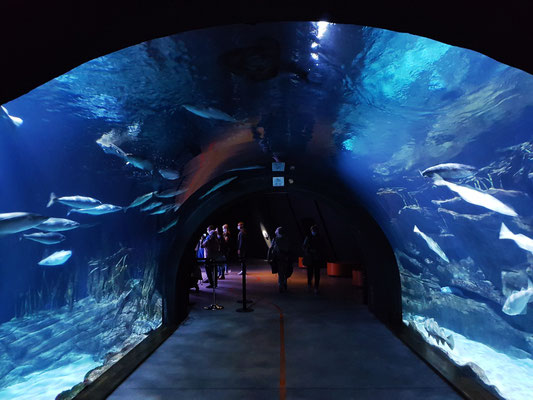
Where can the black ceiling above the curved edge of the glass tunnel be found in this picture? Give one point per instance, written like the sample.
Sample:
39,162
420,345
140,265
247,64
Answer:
46,39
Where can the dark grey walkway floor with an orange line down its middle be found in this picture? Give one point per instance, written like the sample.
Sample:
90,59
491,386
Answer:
295,345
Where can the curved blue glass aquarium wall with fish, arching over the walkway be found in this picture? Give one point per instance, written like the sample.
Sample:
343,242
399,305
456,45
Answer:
377,106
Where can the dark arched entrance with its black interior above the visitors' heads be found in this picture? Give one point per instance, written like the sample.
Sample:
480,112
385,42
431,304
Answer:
351,235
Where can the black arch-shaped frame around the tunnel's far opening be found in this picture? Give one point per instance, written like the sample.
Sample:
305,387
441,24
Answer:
384,288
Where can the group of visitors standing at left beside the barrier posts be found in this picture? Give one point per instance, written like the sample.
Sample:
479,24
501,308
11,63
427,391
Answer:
218,250
